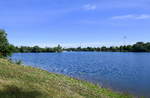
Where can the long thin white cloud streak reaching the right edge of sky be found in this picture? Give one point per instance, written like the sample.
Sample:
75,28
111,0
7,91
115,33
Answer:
132,16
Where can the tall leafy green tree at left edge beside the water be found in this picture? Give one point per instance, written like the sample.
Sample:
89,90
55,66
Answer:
5,48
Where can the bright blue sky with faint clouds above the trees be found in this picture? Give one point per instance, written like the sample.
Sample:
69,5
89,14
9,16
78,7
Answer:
75,22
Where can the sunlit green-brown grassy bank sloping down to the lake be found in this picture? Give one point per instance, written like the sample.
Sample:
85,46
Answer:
26,82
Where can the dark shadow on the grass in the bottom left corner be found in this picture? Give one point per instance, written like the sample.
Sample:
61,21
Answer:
15,92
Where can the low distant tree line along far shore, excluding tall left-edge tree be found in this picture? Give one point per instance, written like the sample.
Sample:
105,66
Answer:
138,47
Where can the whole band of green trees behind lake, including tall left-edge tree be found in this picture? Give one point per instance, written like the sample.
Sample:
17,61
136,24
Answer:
6,49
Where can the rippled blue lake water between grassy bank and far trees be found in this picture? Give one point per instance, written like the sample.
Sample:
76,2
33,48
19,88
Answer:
125,72
